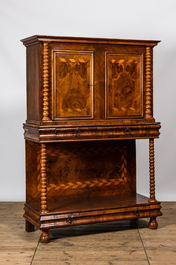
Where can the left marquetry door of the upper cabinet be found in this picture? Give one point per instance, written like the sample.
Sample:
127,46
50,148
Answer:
72,81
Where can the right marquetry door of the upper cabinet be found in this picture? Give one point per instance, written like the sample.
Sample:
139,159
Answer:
124,86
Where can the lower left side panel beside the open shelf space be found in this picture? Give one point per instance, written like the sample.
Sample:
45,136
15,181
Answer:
32,172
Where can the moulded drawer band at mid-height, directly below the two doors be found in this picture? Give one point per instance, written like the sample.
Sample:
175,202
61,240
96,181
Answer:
91,133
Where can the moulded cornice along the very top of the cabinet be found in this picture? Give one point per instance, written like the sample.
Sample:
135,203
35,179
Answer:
44,38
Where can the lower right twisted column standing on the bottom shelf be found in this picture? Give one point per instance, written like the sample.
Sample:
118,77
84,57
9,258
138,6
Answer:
152,170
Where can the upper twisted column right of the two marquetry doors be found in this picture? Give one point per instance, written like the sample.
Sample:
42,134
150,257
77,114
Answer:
149,96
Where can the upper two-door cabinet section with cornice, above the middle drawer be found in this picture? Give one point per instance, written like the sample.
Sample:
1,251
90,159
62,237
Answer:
87,81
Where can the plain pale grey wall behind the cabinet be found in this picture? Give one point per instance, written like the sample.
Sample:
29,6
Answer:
137,19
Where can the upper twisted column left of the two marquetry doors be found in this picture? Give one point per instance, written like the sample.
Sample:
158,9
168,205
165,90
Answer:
45,83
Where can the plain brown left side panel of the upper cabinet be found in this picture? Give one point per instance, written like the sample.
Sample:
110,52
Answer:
33,83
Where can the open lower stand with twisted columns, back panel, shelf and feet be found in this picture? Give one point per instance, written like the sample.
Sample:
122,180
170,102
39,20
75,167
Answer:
85,182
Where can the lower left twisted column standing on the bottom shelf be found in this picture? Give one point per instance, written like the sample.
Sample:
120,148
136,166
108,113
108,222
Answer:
43,183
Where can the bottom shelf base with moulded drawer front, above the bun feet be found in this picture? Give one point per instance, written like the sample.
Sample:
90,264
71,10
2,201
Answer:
91,210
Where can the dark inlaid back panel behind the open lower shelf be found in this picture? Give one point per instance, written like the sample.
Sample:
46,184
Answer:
87,169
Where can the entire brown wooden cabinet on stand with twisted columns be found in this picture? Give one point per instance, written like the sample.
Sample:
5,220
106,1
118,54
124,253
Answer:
88,99
